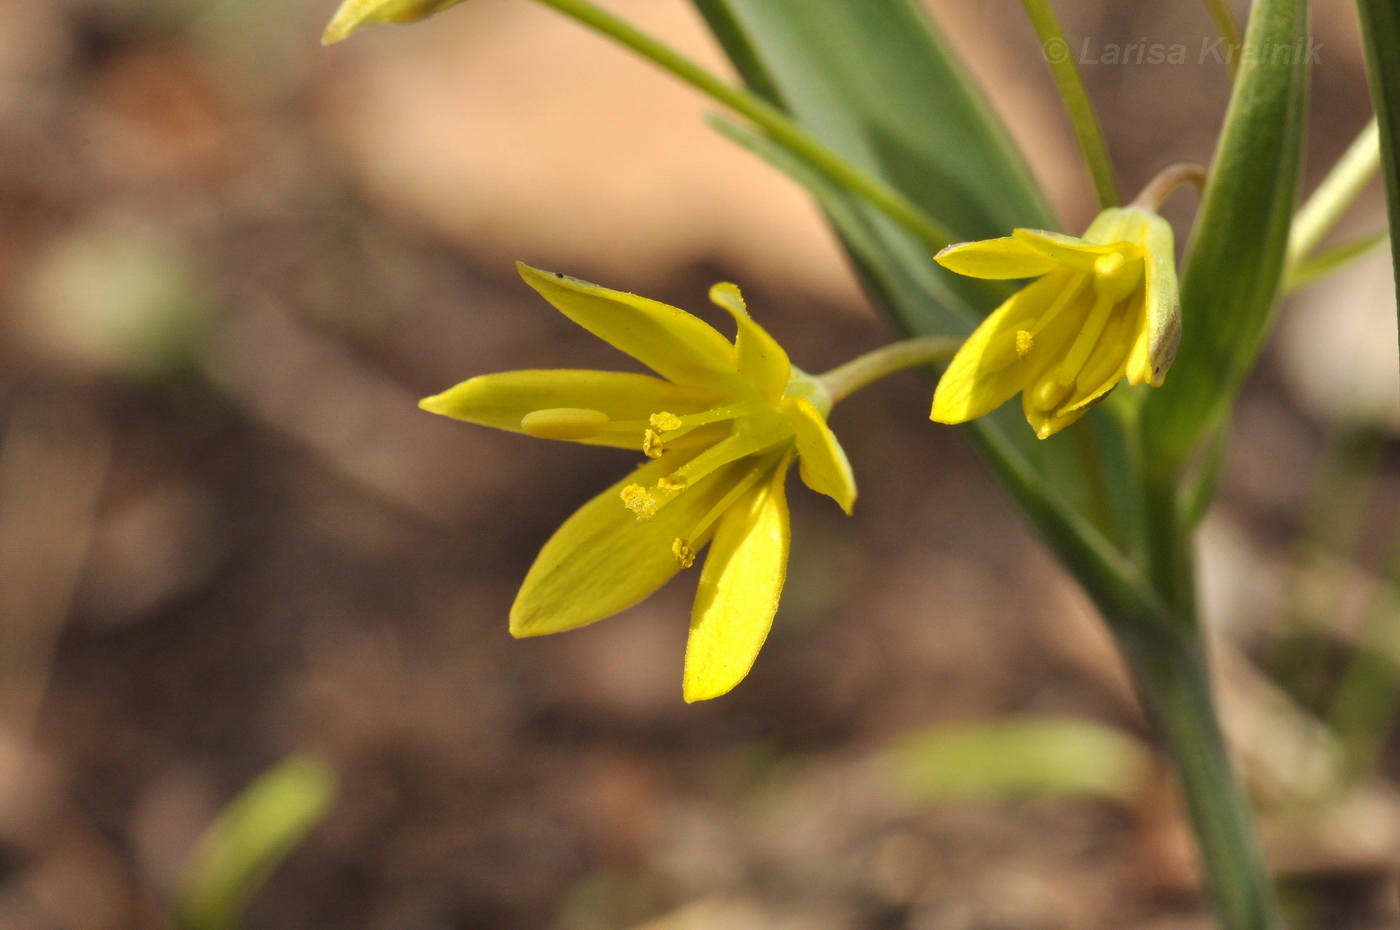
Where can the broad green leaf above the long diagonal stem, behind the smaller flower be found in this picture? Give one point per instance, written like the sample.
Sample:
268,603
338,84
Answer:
878,83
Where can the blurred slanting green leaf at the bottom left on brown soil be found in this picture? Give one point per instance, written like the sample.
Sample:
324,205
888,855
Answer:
253,835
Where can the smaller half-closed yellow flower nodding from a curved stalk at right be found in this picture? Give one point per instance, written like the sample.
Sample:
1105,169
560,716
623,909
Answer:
1105,307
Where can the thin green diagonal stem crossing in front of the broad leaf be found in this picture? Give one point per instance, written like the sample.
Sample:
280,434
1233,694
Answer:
762,114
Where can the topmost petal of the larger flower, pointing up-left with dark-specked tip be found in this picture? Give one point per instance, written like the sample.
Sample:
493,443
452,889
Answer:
670,341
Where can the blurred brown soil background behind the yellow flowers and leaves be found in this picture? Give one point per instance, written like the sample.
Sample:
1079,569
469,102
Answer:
230,264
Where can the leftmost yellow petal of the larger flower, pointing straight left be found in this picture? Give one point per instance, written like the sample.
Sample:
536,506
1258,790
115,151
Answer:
505,400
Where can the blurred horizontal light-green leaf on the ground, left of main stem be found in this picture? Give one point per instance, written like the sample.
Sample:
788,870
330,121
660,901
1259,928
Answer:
1060,757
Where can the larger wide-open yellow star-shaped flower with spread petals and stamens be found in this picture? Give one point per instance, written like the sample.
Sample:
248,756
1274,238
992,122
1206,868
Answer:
722,428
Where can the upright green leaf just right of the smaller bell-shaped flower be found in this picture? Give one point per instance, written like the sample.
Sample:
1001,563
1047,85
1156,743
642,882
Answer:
1235,267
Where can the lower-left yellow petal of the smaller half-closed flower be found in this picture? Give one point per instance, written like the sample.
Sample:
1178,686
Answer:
978,382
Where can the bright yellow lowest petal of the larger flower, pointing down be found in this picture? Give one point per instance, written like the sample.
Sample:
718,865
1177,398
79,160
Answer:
740,590
